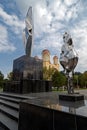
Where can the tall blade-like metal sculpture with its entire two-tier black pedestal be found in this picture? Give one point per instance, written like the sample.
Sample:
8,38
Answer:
28,70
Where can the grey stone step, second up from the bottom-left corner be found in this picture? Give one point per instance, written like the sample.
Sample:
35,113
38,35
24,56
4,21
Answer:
11,113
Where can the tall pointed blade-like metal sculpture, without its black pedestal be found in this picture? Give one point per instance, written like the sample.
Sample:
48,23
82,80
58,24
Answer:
28,32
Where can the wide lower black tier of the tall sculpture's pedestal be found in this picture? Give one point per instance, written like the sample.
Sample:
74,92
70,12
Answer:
27,86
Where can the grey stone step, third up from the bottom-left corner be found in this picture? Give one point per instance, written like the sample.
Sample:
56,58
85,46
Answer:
12,105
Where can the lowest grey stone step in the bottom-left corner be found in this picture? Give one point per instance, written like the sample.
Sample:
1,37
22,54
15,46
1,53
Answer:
7,122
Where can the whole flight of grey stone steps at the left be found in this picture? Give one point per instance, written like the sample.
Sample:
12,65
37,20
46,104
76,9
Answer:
9,109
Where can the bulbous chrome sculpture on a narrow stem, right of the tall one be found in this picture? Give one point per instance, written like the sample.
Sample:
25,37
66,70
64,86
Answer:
68,60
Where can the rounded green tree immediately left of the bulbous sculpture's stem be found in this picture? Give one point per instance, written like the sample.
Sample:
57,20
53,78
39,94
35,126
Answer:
58,79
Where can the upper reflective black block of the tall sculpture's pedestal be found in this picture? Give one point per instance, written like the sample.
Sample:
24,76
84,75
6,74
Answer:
27,67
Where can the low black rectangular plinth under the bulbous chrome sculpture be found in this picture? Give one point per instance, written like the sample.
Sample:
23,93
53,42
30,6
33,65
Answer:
71,97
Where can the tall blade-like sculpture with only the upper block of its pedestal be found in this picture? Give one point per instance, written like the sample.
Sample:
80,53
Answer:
28,66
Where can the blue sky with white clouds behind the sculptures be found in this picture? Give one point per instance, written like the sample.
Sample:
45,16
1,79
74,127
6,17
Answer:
51,19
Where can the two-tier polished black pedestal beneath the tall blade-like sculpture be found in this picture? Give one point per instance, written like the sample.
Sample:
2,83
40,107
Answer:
27,77
